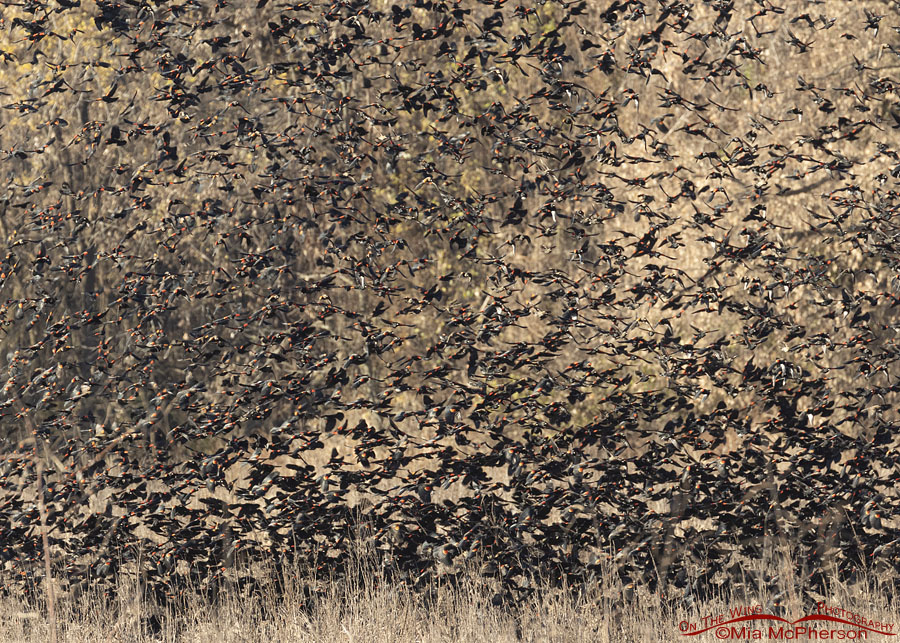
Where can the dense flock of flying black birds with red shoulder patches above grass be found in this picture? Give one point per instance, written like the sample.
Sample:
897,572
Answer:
556,291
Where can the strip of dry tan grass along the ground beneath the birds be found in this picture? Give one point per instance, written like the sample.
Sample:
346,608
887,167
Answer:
460,607
